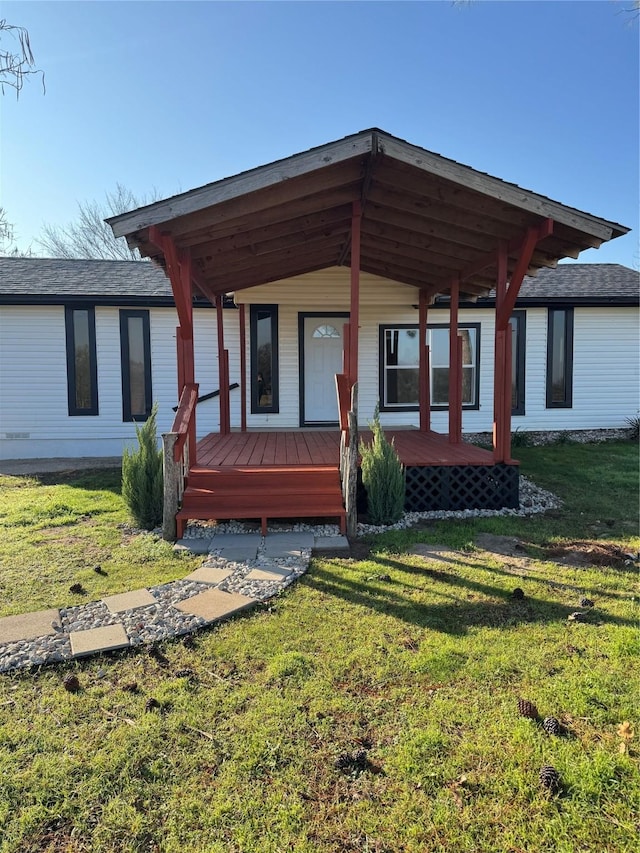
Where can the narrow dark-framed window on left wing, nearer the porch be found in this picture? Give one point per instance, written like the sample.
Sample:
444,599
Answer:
135,356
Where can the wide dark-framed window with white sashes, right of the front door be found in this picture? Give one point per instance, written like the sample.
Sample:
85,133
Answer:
399,373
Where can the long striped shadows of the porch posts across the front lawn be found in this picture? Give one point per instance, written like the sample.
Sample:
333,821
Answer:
455,615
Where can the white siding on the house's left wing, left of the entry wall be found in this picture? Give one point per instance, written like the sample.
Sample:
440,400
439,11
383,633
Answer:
34,419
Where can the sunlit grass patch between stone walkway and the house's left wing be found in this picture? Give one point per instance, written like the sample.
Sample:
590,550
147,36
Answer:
55,530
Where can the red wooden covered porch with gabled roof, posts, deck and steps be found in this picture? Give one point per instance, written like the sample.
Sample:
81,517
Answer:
369,203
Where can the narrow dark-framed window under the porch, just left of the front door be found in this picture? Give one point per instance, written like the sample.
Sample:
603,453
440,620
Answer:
263,321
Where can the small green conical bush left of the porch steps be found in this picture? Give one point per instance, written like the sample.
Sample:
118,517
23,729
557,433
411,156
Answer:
142,487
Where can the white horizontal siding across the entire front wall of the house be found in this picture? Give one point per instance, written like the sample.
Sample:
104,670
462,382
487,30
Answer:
34,420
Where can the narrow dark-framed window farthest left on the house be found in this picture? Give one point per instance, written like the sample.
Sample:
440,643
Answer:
82,369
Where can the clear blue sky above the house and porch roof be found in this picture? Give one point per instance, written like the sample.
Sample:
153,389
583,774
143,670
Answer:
167,96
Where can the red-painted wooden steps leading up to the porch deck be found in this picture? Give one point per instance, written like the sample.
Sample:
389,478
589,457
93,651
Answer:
262,492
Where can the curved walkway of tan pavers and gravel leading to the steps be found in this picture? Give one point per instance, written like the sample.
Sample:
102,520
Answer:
238,572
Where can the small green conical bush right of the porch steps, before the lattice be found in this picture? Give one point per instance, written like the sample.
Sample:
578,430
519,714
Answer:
383,477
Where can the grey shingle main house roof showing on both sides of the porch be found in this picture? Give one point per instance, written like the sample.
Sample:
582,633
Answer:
49,280
